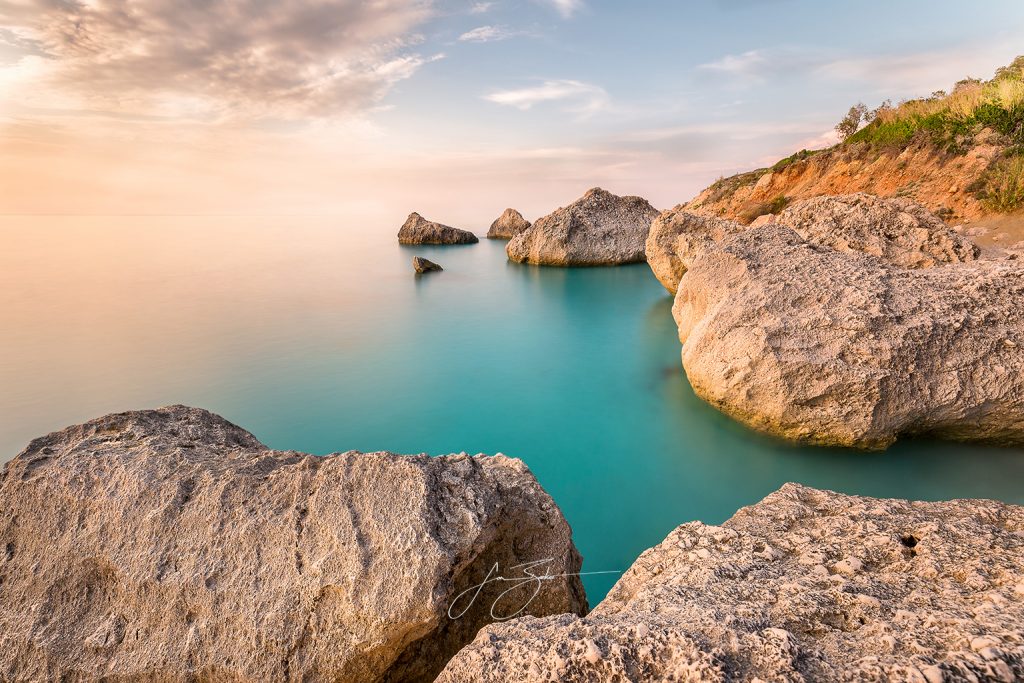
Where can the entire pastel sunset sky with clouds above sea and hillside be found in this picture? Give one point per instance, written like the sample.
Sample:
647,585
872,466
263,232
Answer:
456,109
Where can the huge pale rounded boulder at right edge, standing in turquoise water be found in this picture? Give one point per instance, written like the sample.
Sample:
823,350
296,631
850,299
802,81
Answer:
843,349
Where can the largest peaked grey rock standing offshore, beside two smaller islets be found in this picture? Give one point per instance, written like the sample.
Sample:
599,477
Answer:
600,229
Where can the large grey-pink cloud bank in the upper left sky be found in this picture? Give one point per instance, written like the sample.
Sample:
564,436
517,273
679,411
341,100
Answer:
300,58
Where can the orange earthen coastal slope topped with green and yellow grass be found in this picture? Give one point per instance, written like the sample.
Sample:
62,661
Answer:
959,154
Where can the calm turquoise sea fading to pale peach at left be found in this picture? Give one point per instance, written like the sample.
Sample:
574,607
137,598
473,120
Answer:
318,337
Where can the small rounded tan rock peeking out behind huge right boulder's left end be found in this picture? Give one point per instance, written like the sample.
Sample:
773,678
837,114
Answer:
675,234
